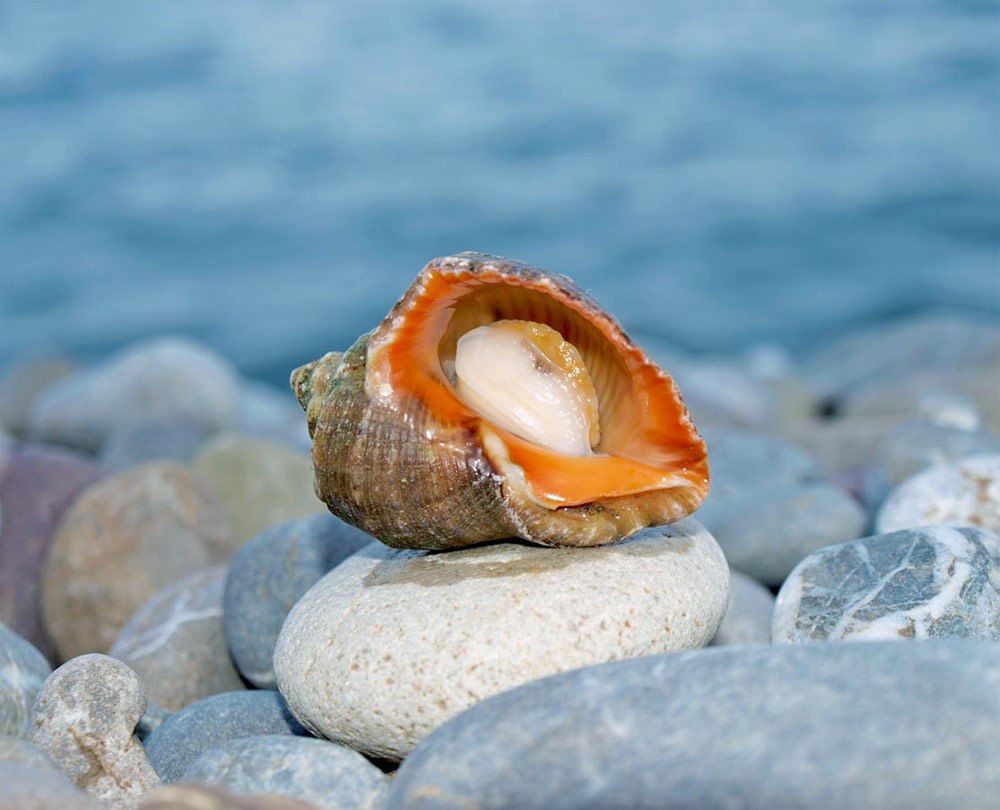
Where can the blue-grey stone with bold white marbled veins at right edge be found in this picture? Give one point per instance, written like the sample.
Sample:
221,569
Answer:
931,582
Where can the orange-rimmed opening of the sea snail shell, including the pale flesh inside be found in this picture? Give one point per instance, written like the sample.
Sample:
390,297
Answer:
641,437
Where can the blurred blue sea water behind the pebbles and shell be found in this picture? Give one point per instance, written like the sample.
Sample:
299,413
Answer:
268,177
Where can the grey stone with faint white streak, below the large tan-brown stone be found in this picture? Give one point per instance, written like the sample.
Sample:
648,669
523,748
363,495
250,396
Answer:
177,644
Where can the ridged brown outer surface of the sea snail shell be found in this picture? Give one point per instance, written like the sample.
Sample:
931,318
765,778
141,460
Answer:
388,465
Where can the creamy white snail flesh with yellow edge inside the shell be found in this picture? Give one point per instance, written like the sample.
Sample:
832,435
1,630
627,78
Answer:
525,378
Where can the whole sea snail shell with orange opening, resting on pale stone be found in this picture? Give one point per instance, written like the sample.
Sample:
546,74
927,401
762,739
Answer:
399,453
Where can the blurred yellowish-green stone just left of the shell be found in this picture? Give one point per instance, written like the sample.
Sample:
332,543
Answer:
262,483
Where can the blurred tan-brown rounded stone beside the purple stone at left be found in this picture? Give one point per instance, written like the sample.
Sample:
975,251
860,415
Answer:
124,539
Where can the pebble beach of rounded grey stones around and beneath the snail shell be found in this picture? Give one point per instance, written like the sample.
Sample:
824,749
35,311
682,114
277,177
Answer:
186,625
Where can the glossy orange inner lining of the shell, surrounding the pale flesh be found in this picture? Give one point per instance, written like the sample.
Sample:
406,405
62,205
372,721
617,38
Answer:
647,442
